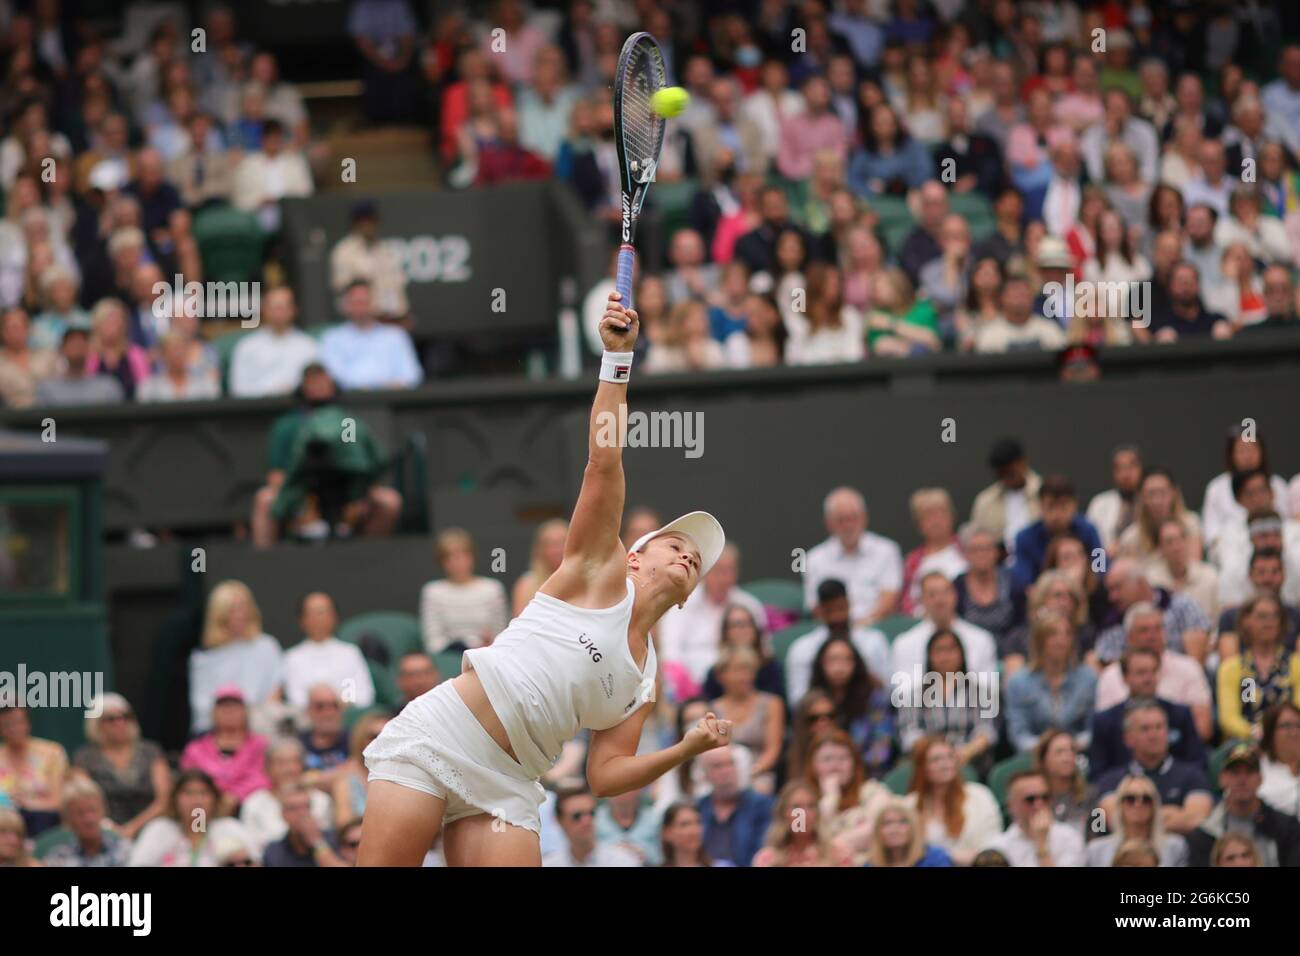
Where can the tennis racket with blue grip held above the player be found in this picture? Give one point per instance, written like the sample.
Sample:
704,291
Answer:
639,136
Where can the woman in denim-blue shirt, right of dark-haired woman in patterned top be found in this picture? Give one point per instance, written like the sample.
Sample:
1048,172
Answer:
1055,691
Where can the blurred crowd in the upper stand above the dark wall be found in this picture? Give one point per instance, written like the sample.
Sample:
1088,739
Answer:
850,180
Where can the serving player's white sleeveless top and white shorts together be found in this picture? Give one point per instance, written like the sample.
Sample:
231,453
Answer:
556,671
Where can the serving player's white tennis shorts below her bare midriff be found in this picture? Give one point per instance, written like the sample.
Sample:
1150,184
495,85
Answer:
439,747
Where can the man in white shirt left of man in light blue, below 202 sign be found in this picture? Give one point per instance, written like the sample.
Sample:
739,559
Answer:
271,361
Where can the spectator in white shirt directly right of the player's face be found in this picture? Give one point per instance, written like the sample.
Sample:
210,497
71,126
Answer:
692,634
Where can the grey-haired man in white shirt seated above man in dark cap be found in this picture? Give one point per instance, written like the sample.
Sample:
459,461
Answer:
869,565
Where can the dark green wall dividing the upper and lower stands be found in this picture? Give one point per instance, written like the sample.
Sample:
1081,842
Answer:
506,455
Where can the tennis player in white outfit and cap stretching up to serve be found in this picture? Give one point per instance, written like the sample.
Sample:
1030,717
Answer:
466,758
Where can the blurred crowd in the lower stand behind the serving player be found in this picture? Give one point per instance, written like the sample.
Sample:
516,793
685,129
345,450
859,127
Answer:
1060,680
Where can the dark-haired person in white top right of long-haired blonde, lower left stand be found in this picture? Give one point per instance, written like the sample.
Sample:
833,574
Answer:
323,659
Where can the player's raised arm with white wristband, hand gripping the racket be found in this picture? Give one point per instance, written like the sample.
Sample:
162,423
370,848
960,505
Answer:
593,539
